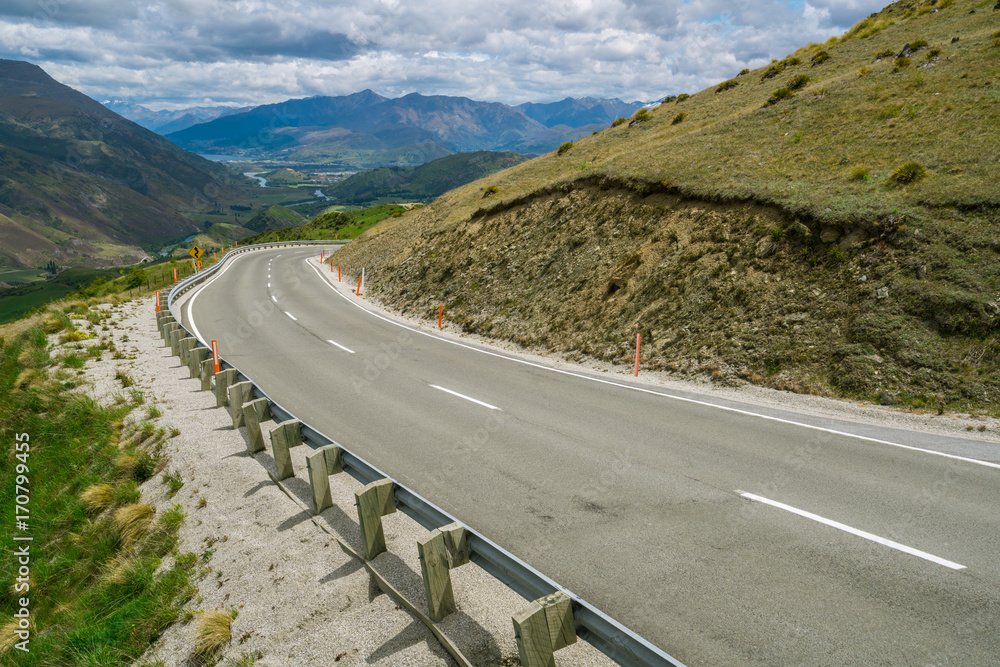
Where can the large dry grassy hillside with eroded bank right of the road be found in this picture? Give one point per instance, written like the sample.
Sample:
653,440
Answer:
825,224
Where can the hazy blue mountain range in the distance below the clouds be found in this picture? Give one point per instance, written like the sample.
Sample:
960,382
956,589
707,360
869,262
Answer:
368,130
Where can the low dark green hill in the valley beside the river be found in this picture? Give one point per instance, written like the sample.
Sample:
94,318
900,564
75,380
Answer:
423,183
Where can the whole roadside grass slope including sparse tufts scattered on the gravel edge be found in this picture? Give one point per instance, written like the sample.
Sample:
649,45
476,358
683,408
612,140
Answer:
96,589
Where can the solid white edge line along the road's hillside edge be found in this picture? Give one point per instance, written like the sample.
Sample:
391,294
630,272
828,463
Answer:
657,393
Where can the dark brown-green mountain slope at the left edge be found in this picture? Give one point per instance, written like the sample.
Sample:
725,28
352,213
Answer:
79,183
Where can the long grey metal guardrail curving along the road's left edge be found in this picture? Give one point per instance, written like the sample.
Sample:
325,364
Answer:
597,628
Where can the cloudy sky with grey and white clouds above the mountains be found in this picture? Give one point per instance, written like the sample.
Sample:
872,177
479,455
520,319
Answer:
179,53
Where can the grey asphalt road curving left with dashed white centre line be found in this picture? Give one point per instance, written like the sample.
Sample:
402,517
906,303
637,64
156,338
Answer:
699,526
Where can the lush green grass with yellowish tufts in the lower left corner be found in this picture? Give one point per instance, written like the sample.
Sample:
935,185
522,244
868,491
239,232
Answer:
93,602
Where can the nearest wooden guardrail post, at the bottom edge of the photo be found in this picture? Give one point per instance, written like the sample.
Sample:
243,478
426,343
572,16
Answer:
544,627
